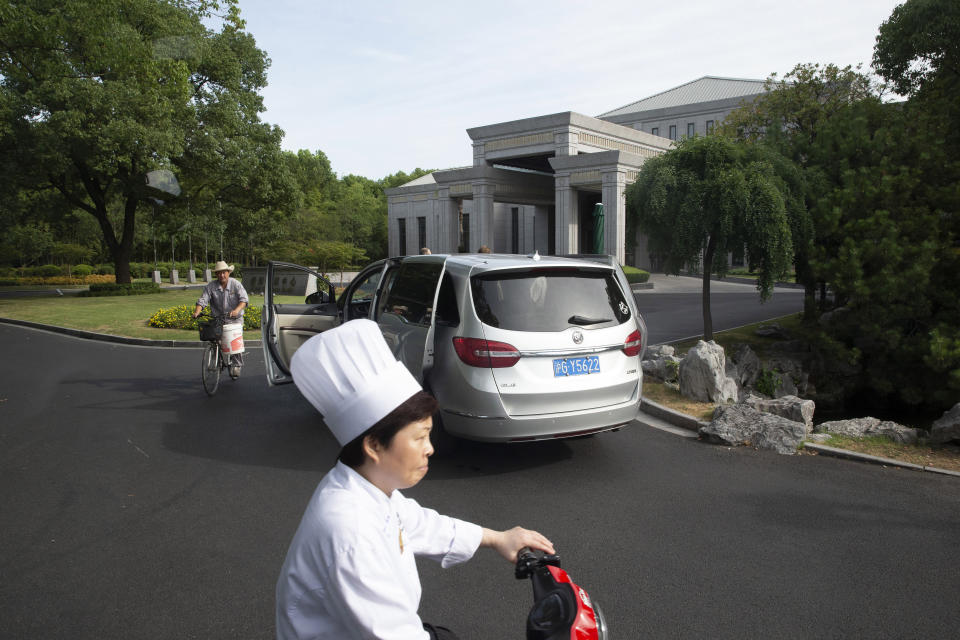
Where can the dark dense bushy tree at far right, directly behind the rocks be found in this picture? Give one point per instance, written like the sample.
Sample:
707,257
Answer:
893,266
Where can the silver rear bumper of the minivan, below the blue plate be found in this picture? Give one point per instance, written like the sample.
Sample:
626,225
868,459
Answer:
543,426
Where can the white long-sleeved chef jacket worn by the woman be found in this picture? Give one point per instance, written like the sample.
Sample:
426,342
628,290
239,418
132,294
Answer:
345,575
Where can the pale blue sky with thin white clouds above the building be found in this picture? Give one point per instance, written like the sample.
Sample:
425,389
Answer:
387,86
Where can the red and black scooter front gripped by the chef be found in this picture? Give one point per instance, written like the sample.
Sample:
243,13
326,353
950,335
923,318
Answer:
561,610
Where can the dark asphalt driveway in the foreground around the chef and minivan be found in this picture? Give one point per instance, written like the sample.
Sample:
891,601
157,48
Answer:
131,505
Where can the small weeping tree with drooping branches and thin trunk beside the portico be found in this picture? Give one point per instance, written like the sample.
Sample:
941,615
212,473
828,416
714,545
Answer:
710,196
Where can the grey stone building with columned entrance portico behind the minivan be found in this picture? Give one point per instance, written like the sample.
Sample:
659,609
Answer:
535,182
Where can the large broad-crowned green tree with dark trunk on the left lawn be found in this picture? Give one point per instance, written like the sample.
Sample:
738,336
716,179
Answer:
95,94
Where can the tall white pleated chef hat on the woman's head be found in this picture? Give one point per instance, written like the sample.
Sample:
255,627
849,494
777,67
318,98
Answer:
350,376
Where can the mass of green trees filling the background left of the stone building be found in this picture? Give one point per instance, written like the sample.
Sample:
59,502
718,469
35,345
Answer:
130,132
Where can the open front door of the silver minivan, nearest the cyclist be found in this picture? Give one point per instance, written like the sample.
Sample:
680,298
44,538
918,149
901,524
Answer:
298,304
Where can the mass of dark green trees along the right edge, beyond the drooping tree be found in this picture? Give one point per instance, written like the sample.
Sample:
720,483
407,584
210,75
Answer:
881,265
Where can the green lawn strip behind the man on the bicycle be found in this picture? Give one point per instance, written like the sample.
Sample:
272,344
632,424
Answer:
116,315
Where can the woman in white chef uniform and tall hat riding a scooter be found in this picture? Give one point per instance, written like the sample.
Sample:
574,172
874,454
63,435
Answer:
350,570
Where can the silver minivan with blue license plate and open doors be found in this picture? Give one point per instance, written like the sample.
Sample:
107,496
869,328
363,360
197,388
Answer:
513,347
